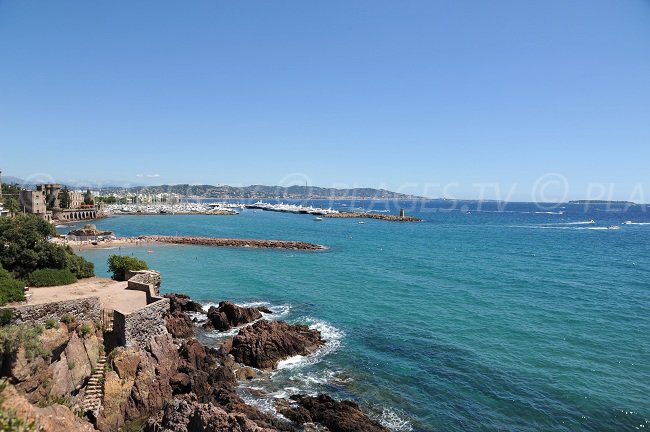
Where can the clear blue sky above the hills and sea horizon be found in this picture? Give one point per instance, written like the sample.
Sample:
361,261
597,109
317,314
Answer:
493,99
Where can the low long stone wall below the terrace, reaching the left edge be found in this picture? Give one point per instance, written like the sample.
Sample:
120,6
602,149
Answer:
85,309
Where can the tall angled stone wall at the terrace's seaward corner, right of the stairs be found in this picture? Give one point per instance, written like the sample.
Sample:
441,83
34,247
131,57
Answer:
137,328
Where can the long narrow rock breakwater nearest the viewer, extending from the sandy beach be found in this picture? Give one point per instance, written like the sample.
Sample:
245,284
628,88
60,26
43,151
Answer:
230,242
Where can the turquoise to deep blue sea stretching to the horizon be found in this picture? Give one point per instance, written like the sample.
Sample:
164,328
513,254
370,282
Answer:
484,317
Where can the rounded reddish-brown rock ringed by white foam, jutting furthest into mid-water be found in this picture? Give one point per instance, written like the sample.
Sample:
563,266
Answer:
263,344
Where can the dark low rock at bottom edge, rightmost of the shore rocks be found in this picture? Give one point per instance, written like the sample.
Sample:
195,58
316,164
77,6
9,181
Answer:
337,416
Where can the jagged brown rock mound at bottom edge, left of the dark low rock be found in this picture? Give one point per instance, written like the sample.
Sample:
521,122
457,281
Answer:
185,413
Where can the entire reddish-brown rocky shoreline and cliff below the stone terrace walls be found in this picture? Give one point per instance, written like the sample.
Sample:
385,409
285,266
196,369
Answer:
175,383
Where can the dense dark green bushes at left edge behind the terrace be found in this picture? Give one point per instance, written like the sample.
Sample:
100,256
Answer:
25,248
